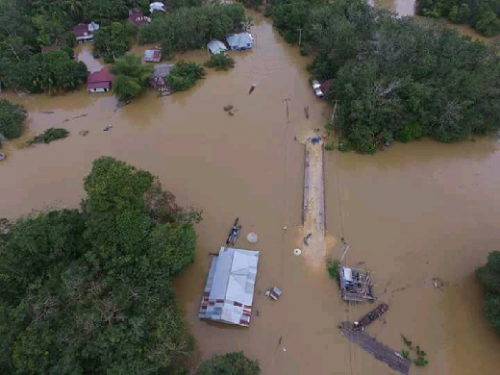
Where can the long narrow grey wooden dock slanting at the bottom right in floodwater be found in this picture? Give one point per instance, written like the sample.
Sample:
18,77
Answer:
380,351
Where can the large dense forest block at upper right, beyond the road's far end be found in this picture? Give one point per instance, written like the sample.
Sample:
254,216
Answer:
396,79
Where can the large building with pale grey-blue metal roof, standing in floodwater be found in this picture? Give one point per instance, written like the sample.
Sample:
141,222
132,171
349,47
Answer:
228,295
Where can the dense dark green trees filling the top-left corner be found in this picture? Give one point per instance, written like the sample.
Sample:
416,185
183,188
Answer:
27,26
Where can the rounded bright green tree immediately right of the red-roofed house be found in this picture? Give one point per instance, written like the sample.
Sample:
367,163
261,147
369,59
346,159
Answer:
131,77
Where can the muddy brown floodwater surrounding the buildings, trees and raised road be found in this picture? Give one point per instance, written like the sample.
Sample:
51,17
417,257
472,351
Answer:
411,214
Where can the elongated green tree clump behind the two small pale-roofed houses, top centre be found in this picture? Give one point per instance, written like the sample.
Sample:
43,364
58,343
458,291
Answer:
193,28
